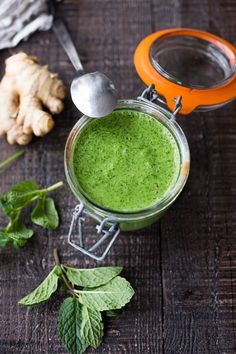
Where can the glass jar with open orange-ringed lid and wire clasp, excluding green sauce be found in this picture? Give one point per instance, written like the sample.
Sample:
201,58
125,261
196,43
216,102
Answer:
192,70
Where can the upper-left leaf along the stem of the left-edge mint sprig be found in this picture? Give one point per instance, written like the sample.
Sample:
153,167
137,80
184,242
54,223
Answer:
20,195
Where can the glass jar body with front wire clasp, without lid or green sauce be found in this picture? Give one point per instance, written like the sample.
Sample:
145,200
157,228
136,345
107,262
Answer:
125,221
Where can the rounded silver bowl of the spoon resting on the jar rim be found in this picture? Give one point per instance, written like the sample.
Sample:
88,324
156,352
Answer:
94,94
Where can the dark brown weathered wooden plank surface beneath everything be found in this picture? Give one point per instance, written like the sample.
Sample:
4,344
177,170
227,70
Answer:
183,268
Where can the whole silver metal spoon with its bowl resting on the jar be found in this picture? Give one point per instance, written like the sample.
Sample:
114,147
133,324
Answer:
93,94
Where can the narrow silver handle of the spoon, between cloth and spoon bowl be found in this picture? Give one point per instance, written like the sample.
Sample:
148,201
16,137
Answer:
66,42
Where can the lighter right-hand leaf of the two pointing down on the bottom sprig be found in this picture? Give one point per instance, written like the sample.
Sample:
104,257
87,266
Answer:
91,327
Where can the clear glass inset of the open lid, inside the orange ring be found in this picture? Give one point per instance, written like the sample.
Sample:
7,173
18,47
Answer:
175,44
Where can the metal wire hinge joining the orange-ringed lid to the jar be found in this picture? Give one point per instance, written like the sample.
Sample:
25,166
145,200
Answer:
151,95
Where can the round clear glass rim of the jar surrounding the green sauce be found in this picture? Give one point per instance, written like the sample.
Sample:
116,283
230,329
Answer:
161,115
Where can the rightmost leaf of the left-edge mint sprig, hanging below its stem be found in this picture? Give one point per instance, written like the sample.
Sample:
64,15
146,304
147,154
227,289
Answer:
45,214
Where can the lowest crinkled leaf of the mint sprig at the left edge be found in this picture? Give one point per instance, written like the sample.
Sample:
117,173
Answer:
18,232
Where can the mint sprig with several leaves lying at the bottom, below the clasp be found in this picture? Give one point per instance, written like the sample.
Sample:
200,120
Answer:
80,320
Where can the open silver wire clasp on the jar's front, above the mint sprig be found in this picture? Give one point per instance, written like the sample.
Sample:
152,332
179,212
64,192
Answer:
107,228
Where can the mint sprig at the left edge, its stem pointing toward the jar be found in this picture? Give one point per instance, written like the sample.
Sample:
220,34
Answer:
13,202
